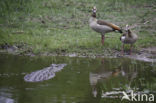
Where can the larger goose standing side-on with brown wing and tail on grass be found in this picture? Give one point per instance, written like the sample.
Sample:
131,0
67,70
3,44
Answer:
101,26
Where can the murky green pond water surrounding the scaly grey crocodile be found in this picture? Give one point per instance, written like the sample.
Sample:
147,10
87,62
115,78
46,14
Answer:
82,80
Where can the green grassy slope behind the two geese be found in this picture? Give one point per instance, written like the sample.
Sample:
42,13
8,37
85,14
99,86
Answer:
62,26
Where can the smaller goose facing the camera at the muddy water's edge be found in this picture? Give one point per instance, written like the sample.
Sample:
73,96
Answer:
128,37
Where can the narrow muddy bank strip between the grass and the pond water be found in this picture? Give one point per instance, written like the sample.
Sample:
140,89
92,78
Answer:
144,54
